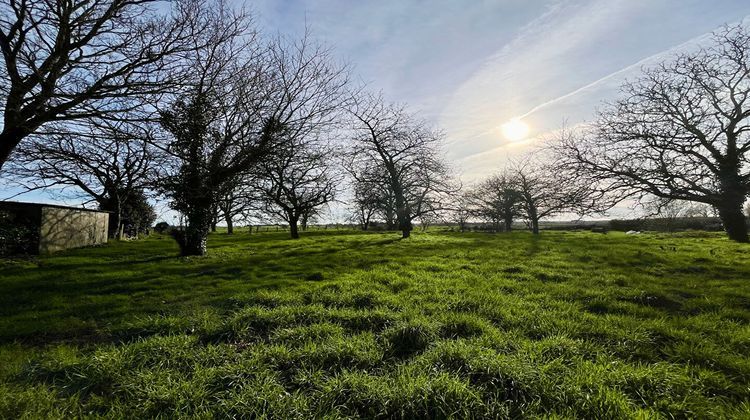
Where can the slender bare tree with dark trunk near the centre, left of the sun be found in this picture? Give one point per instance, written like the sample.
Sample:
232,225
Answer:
405,153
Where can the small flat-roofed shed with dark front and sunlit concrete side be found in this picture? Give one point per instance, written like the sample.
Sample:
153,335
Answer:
46,228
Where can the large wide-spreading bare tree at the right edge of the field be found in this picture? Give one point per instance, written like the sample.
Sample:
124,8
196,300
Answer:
680,132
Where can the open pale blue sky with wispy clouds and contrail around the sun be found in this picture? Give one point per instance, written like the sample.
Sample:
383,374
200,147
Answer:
469,66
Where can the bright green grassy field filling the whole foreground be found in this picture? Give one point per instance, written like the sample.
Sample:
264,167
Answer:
568,325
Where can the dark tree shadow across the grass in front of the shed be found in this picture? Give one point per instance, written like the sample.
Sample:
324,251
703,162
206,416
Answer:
95,291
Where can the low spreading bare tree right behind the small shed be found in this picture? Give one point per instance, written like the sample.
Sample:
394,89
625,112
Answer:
110,163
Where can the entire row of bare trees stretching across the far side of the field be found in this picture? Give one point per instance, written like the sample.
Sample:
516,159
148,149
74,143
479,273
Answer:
118,100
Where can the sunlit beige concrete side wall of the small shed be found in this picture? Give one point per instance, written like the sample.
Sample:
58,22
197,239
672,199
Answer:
63,228
